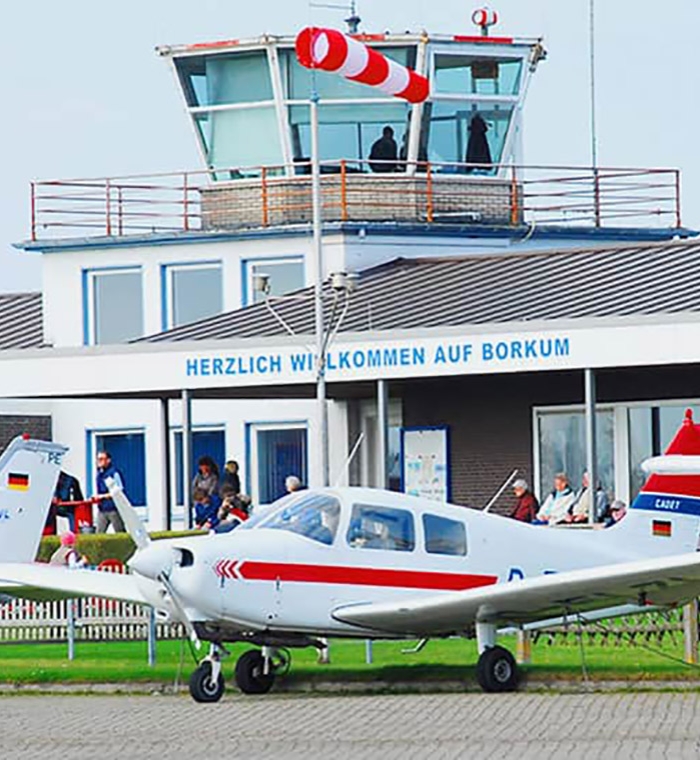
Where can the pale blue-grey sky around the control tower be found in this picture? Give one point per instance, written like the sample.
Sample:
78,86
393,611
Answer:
84,94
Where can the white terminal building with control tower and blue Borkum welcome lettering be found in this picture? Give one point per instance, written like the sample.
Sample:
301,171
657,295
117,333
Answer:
176,314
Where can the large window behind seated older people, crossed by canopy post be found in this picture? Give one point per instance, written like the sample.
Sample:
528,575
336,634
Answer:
562,448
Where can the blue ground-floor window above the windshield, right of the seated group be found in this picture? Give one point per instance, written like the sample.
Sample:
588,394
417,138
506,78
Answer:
277,451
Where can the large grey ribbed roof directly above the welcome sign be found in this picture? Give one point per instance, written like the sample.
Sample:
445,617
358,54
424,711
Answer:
645,279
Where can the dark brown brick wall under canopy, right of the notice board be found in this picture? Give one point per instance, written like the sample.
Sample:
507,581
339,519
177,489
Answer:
490,417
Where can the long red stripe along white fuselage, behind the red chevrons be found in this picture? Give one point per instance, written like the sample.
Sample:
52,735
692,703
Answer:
361,576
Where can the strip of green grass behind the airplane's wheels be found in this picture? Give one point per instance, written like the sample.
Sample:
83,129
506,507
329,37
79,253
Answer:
126,662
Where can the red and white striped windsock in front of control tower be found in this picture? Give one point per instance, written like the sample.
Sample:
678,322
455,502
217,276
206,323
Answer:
330,50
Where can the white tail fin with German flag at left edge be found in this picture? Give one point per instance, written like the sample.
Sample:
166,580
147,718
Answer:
28,474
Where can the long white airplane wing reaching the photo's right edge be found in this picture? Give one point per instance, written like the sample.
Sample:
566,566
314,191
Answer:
660,582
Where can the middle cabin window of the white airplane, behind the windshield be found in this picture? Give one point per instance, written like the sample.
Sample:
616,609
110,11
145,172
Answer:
381,528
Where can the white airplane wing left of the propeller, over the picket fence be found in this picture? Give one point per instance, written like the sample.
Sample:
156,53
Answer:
41,581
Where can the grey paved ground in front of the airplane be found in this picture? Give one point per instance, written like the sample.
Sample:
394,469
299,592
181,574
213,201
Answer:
523,726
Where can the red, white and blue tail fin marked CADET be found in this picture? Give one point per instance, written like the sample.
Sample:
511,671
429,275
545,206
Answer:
666,511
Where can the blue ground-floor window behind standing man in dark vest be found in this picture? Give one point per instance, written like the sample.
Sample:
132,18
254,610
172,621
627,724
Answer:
128,451
